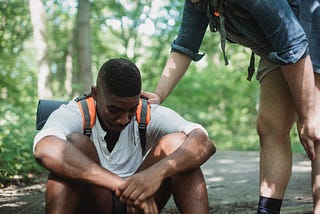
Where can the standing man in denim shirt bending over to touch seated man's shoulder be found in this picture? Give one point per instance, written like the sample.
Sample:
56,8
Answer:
285,34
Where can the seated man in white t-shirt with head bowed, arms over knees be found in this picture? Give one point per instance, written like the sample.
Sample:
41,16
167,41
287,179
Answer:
107,172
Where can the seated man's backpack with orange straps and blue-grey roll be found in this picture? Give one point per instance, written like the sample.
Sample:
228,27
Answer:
87,108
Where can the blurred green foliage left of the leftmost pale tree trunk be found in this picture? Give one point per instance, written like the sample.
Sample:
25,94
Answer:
17,94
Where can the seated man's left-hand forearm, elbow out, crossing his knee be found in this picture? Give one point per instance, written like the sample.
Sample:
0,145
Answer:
65,160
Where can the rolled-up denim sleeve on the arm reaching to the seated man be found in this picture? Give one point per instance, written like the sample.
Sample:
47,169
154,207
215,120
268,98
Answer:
193,27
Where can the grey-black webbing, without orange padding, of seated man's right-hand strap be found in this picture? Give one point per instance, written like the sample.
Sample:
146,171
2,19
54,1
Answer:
143,124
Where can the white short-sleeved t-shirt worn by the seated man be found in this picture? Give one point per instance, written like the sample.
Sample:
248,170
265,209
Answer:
126,156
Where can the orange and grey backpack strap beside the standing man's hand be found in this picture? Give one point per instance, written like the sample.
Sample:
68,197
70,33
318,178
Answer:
143,118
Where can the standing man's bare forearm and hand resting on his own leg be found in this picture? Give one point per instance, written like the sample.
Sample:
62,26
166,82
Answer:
300,78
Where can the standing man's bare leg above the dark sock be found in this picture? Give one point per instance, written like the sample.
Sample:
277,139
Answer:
277,114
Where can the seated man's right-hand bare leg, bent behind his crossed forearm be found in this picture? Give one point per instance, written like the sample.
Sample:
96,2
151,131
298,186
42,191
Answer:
188,188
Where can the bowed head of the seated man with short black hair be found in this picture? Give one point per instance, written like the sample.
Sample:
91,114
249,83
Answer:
117,93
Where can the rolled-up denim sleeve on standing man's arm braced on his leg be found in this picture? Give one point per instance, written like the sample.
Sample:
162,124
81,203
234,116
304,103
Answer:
281,28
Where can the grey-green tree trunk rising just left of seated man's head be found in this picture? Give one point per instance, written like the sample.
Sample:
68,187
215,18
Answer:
83,47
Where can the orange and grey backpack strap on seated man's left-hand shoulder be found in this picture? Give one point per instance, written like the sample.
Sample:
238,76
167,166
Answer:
88,112
